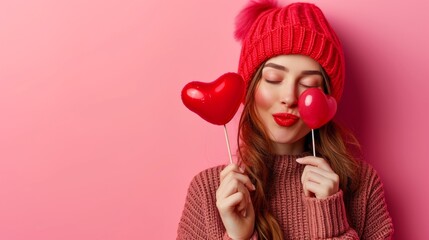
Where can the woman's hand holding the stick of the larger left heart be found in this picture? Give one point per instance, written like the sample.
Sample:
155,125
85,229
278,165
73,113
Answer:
234,203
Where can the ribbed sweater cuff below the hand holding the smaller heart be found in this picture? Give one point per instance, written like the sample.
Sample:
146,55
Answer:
327,218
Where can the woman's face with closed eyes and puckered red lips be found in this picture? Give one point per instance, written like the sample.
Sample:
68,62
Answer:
283,80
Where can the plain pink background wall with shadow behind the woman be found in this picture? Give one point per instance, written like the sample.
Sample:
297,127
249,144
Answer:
96,144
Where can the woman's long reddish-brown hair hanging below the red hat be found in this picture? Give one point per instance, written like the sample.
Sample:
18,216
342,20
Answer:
256,149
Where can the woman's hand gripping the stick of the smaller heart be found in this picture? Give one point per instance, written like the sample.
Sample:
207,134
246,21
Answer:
318,178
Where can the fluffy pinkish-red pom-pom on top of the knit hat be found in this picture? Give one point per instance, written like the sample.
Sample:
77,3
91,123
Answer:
249,14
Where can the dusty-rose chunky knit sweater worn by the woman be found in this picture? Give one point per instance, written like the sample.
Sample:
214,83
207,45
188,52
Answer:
300,217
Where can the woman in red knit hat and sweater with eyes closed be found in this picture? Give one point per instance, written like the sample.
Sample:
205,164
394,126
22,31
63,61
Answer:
277,190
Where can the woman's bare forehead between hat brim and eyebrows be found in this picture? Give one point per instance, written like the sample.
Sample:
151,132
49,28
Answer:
295,62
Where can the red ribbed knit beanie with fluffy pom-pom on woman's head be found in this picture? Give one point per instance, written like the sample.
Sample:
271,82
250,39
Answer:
267,30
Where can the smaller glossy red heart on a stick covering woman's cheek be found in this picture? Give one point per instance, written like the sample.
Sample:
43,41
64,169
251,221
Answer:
316,108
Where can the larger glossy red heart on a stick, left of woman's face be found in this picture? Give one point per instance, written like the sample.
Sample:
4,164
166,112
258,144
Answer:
216,102
